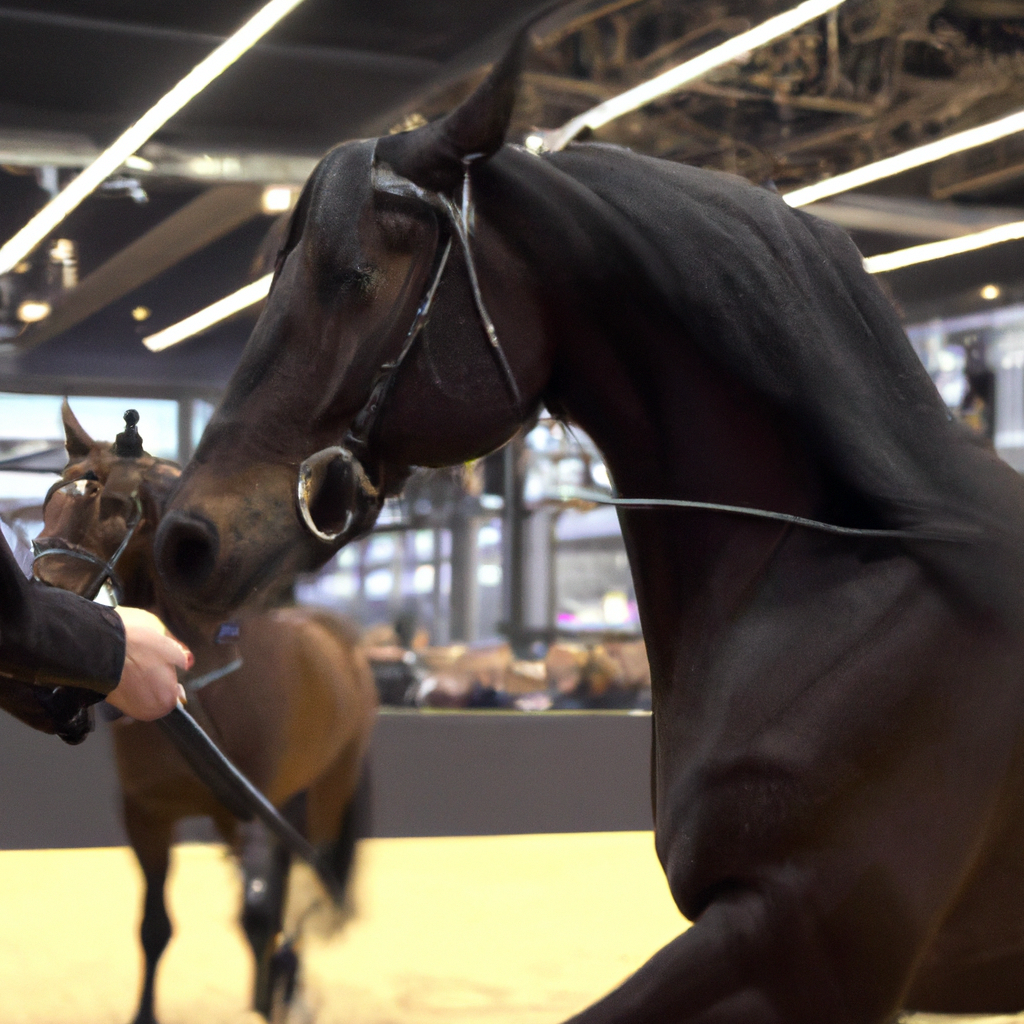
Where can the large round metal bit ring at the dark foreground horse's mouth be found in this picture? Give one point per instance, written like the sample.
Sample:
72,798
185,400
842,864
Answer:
336,500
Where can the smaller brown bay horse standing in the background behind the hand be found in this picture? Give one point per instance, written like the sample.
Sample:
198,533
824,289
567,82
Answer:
291,701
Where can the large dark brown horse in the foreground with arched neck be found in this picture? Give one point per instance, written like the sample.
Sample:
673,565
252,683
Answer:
838,760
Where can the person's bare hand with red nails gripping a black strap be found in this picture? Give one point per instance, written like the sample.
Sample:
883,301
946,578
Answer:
149,687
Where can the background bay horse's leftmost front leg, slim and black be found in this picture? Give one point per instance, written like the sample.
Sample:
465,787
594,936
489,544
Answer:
151,839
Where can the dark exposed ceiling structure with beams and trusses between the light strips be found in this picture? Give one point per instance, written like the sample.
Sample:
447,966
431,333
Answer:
183,225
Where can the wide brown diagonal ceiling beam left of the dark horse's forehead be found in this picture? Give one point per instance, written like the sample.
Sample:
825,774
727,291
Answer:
196,226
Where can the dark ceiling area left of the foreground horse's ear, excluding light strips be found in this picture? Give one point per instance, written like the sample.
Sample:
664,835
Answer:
74,74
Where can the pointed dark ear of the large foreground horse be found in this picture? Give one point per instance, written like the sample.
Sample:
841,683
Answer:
434,156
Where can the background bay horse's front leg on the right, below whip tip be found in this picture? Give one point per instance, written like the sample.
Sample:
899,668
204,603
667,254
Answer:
265,864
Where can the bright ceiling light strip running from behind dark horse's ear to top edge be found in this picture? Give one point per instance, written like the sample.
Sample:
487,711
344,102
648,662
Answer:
673,79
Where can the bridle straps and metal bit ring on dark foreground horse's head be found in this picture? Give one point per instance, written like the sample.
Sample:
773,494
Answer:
357,445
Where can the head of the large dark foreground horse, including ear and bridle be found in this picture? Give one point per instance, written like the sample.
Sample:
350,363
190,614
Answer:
317,429
